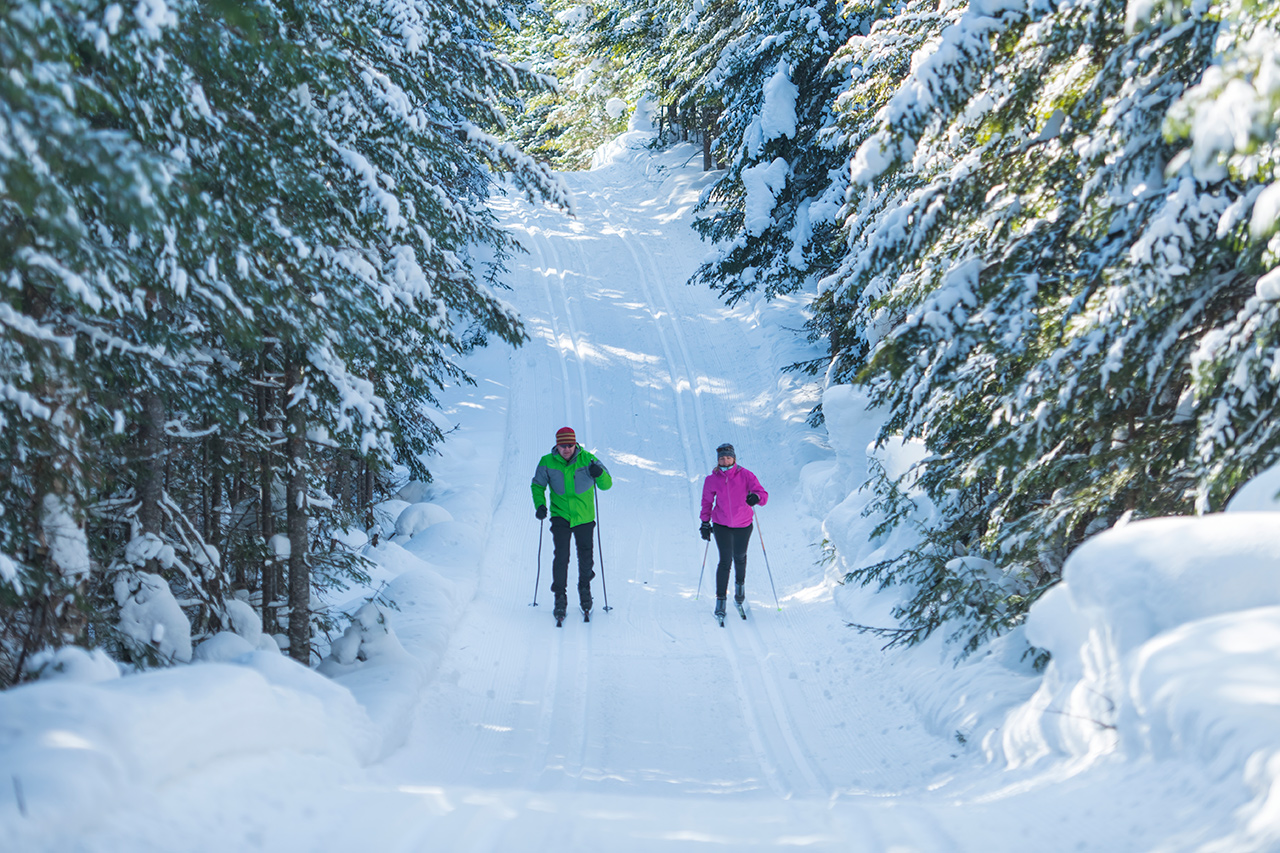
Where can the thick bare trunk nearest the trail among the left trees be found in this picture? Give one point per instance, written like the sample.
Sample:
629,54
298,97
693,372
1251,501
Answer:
298,512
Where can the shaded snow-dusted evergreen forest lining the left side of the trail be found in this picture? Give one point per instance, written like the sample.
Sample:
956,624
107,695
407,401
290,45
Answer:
241,245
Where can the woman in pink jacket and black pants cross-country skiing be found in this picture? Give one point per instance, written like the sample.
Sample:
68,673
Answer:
730,495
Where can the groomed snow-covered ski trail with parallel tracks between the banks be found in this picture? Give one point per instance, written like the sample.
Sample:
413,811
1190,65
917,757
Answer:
653,710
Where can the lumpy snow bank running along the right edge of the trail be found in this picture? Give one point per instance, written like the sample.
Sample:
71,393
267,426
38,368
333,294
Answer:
1164,633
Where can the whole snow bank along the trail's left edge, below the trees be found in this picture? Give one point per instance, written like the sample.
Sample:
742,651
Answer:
84,745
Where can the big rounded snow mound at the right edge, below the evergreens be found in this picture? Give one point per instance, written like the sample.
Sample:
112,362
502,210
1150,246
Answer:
1167,644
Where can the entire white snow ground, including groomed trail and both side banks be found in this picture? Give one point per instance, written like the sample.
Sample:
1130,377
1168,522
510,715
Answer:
452,715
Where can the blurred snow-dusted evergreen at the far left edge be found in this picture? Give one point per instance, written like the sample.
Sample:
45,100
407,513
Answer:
75,194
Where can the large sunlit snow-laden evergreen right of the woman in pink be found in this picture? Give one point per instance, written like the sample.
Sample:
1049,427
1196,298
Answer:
1031,275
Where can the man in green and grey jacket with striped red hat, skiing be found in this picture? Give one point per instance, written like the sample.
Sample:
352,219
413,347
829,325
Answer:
572,473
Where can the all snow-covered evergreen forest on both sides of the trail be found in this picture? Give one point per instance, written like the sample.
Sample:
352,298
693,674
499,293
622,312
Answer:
244,243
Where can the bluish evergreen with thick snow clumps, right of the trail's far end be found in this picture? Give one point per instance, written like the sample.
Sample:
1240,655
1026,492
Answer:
775,211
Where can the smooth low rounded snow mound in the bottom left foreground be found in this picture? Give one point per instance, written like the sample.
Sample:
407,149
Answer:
74,752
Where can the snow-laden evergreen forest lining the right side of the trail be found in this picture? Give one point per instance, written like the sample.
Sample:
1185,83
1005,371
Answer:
1044,234
